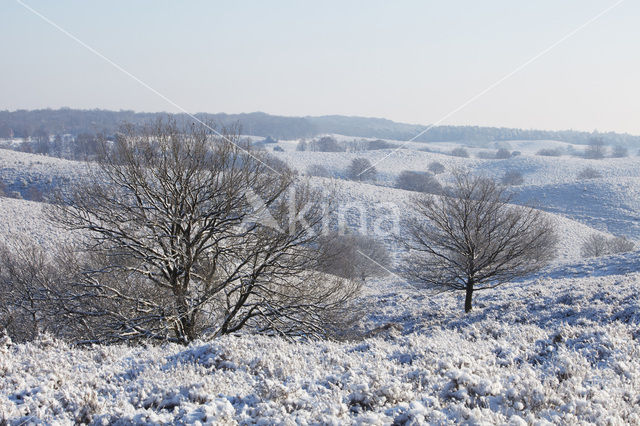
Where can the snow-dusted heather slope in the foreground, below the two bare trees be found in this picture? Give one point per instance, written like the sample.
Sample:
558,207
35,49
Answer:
559,351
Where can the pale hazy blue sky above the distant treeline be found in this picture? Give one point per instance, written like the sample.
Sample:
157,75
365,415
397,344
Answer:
410,61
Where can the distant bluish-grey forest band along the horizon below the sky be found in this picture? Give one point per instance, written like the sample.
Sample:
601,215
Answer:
51,122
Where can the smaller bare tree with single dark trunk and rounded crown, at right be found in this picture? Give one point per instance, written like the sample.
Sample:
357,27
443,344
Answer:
472,239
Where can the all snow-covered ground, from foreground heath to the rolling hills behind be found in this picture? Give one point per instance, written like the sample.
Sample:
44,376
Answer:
560,347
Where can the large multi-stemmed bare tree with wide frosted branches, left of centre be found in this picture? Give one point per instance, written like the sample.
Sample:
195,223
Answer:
196,235
